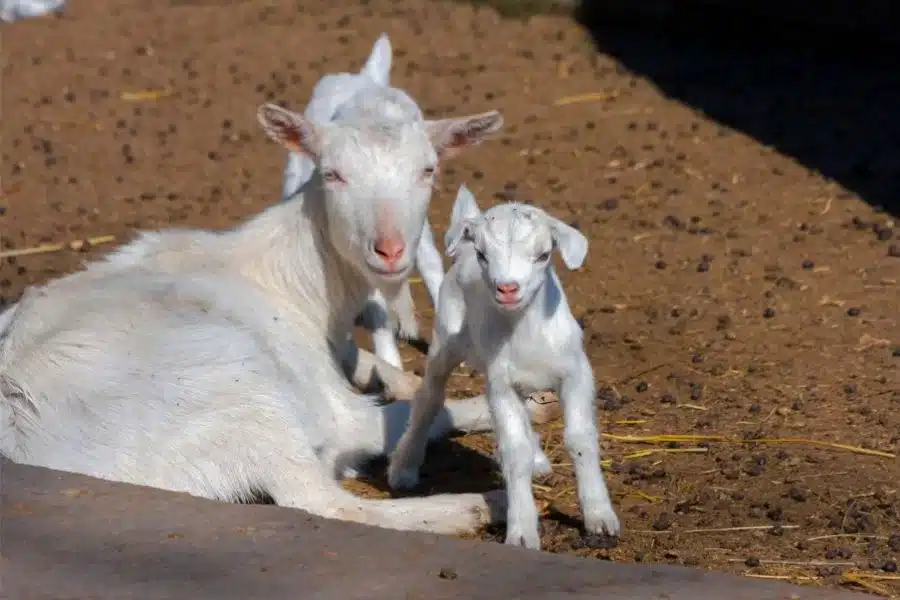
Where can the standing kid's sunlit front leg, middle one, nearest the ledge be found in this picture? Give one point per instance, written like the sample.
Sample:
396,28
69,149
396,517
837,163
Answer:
516,446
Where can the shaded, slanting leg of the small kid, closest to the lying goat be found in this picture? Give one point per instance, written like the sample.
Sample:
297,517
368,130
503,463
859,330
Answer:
407,458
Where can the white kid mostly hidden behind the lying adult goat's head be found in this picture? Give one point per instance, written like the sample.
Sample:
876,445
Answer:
368,94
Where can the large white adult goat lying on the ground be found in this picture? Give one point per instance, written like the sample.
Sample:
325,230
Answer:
205,362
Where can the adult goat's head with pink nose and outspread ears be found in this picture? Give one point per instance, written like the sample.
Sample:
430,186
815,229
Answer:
377,177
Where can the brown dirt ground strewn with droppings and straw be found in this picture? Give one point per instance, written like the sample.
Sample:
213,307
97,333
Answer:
731,295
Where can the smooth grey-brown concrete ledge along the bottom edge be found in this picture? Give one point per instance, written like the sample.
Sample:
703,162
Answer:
71,537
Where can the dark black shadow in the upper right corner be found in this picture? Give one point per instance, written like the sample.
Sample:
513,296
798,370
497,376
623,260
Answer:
825,95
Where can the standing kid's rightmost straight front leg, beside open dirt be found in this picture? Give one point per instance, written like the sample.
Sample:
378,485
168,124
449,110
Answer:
583,445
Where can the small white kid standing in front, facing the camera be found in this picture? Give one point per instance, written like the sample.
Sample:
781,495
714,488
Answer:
503,310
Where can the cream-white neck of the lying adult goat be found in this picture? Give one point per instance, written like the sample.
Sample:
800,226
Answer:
287,250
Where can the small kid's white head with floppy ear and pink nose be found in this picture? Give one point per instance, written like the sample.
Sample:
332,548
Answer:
513,244
